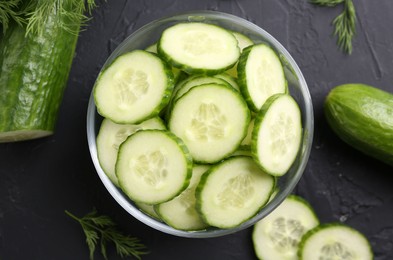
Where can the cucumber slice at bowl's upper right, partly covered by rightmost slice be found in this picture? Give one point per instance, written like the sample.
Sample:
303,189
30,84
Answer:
260,75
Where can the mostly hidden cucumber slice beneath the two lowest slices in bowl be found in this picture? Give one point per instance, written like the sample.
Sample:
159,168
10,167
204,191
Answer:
181,213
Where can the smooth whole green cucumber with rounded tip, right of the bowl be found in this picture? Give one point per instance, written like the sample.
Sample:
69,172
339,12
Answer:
362,116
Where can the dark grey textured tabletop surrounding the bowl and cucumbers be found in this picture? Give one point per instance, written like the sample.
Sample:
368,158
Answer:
40,179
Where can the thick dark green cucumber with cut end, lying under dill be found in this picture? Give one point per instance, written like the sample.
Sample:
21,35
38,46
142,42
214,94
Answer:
33,75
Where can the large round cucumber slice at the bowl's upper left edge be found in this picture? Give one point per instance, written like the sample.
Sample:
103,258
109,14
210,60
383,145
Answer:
135,87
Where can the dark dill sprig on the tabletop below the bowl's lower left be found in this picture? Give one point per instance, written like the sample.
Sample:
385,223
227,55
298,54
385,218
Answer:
101,229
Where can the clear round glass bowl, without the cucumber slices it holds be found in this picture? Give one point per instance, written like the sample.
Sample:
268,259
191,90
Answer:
148,35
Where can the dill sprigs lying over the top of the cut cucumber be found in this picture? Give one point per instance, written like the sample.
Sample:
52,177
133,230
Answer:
34,14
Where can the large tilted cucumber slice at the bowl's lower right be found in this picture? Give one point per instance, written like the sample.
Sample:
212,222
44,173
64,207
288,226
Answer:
233,191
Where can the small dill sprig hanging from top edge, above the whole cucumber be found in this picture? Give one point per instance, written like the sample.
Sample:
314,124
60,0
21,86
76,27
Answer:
344,23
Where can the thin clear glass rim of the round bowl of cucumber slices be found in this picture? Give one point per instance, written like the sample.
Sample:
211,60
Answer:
216,232
